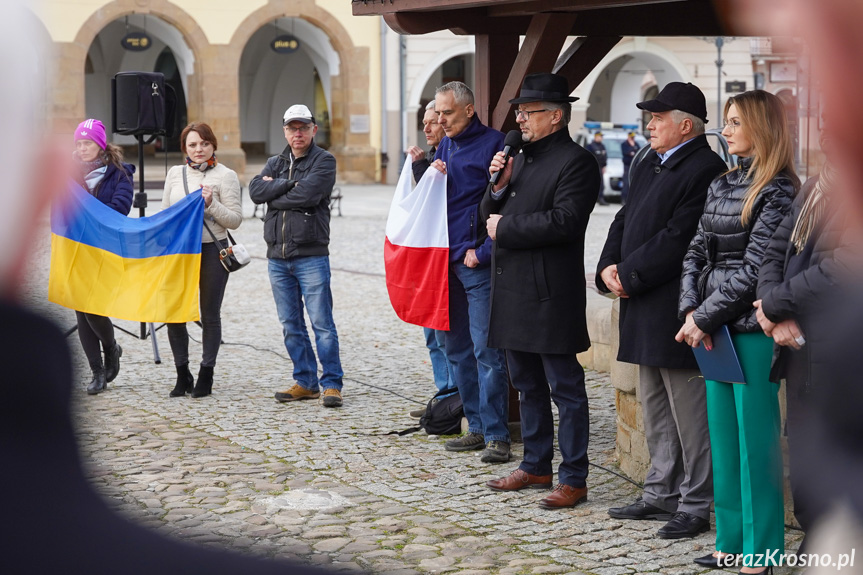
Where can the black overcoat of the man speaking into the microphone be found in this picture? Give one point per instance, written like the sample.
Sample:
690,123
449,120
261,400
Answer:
538,288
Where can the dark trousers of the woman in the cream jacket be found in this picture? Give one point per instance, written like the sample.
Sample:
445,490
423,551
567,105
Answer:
213,280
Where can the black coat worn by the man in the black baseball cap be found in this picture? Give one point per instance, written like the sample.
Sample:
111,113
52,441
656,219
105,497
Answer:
648,240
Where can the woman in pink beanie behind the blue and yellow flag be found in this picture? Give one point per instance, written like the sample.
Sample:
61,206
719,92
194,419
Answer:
101,172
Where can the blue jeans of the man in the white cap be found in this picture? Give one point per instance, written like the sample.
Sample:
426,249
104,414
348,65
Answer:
307,279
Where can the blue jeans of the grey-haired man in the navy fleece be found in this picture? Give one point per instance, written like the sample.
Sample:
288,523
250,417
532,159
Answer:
478,370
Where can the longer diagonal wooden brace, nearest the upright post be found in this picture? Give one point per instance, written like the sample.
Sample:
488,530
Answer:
542,43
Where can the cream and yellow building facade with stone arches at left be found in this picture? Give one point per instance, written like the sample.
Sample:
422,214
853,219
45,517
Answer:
218,58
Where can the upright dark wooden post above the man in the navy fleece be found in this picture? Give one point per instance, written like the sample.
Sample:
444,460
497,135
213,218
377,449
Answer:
493,59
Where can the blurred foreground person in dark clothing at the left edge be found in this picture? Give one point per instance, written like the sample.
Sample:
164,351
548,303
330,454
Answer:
53,520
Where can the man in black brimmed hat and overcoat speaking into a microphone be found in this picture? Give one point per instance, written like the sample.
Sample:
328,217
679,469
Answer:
537,214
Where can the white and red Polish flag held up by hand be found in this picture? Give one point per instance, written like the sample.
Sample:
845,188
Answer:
416,252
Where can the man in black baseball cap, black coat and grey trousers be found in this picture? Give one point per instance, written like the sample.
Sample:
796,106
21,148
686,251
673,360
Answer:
641,263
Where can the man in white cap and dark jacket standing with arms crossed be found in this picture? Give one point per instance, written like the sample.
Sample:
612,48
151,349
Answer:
296,186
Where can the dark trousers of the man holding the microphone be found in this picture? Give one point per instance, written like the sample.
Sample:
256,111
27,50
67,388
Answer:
540,379
